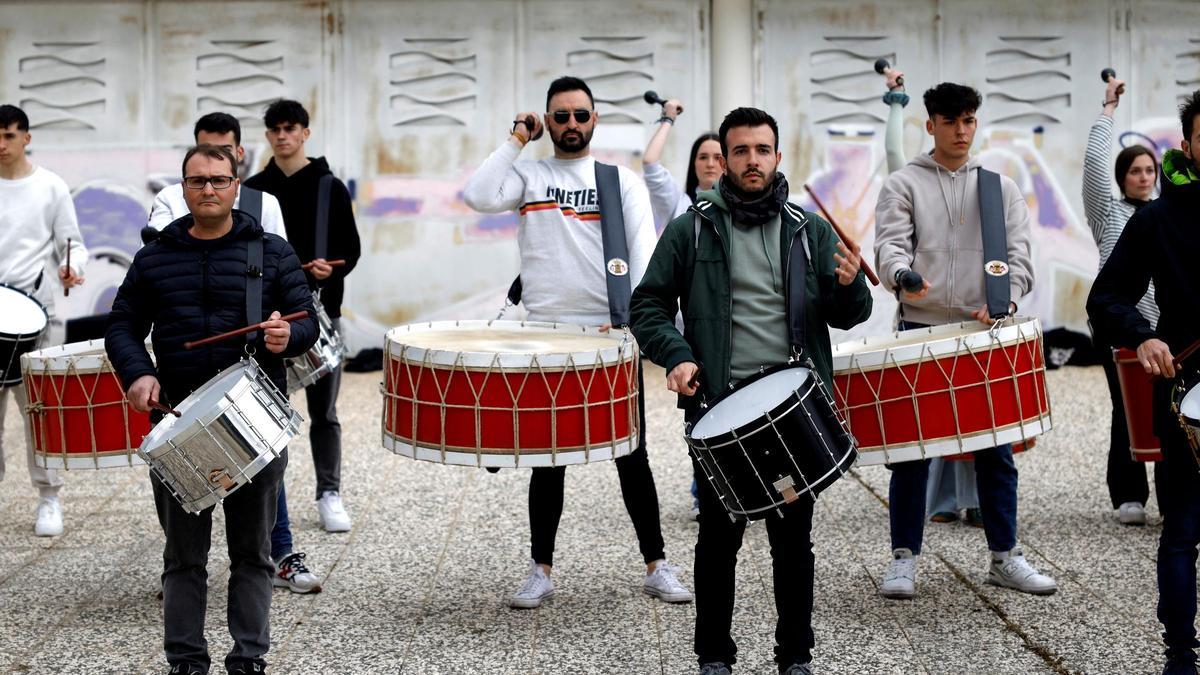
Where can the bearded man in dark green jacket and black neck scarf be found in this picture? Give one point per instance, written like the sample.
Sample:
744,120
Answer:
749,272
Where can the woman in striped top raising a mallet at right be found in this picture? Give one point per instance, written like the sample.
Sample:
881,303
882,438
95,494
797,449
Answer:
1137,175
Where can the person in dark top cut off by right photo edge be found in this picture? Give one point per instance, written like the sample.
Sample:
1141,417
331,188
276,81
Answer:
1160,243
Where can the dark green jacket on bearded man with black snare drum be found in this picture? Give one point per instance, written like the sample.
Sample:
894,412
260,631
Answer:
691,272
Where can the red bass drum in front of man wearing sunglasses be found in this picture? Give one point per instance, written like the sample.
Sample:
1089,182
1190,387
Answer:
505,393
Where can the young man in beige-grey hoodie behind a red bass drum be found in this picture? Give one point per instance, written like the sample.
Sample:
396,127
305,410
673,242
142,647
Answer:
928,220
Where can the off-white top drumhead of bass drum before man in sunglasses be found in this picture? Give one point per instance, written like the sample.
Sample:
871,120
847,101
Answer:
507,342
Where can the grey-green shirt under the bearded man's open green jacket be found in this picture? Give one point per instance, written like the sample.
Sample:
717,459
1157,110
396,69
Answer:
760,307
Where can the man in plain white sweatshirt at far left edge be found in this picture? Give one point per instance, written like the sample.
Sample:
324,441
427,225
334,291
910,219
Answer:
38,220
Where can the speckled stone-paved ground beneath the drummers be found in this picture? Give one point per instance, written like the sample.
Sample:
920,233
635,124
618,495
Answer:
421,584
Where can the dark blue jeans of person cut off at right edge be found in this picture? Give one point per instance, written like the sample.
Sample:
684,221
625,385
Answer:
1179,498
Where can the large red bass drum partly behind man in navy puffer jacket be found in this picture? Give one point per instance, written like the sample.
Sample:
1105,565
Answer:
77,409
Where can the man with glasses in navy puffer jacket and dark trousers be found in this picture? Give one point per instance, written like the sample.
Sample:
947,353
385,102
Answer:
189,284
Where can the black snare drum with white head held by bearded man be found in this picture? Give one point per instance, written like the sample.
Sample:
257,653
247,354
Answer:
772,440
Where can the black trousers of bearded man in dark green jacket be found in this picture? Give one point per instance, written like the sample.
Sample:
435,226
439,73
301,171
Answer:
793,568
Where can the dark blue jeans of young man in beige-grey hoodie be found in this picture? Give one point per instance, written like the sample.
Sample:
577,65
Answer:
997,480
